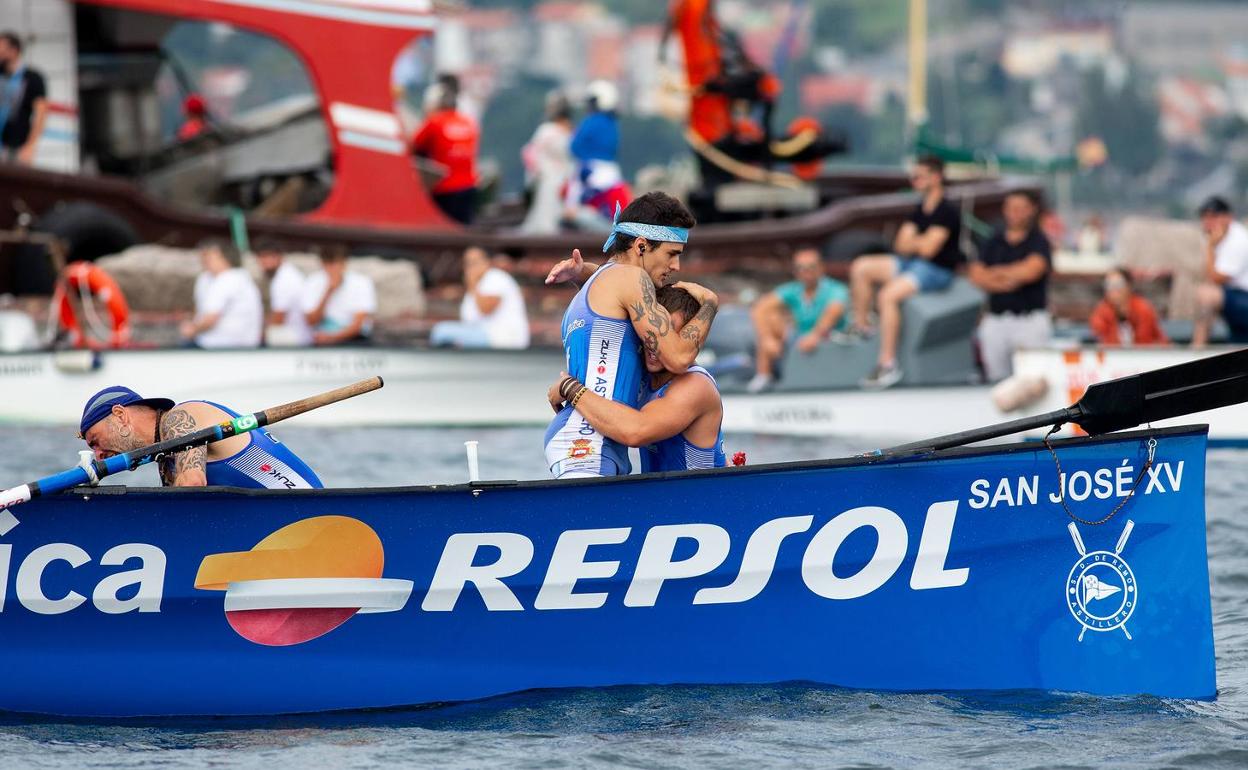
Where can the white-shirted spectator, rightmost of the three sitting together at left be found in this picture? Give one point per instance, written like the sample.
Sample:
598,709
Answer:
339,304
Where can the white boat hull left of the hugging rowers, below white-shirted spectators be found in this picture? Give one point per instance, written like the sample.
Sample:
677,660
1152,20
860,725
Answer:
422,387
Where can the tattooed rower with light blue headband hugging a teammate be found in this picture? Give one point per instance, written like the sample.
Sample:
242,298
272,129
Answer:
612,319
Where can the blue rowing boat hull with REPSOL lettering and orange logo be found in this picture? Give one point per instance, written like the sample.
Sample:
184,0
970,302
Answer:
963,570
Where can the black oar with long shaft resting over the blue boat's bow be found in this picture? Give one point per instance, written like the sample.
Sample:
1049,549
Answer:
1197,386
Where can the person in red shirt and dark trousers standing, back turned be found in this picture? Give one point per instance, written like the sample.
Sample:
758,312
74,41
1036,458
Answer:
450,138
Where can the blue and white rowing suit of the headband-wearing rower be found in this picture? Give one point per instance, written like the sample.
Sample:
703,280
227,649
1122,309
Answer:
606,355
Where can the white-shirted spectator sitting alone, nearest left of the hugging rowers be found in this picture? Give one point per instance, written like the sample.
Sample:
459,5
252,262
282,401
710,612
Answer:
492,314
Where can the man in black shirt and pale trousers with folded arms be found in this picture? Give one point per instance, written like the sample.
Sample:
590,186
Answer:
1014,270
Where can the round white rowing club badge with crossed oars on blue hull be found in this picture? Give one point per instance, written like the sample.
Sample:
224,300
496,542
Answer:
1101,590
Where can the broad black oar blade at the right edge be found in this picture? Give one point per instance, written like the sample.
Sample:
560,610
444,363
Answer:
1197,386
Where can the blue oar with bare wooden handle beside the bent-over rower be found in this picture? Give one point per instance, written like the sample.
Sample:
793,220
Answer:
98,470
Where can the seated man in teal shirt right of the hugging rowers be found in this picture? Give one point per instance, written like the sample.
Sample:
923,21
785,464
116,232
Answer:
808,309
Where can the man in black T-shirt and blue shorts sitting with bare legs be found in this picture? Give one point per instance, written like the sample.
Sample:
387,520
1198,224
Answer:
925,256
